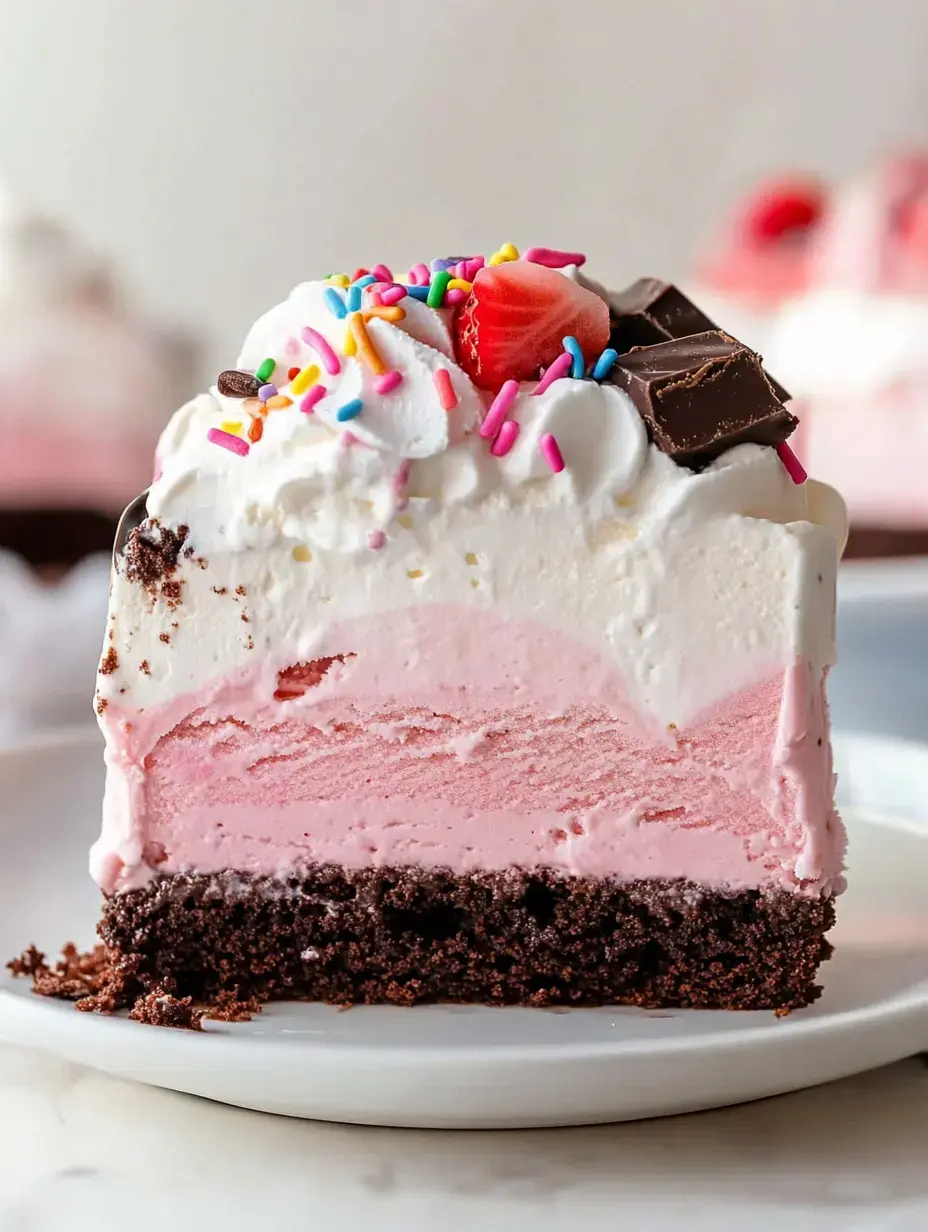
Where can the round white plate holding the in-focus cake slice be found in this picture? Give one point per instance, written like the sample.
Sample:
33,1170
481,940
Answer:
474,1068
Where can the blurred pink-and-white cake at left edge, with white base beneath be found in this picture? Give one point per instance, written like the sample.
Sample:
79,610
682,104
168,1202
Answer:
86,389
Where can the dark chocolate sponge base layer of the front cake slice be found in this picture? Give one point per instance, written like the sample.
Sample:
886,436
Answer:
407,936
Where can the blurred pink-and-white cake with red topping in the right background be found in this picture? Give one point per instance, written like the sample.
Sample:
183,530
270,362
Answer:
834,290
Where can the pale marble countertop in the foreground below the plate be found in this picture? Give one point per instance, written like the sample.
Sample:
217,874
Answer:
79,1150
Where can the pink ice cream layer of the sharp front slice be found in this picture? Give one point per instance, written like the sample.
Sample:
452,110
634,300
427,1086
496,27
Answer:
506,745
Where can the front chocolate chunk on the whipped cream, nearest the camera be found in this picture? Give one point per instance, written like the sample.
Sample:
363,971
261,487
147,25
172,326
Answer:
703,395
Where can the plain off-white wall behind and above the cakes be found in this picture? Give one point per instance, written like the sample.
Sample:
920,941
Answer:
224,150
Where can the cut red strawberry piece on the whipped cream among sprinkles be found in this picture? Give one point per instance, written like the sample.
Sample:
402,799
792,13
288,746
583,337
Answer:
516,317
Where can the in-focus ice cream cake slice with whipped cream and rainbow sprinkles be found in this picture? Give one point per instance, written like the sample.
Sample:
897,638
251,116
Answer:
417,691
